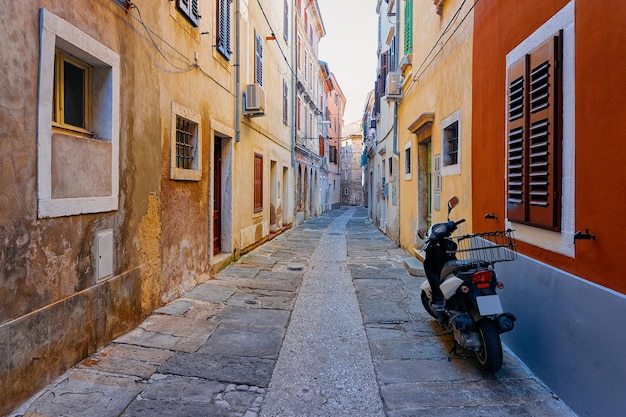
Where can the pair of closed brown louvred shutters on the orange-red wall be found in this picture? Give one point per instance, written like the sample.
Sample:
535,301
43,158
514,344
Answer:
534,137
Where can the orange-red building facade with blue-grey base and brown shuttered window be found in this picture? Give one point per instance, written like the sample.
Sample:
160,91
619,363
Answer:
541,168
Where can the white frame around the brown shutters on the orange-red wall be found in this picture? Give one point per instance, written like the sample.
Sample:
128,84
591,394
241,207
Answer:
560,242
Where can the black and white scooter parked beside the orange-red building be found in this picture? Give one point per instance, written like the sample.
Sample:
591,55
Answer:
460,291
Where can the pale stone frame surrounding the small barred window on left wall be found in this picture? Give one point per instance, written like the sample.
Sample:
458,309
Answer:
182,174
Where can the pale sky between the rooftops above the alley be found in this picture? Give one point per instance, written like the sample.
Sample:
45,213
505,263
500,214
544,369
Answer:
349,48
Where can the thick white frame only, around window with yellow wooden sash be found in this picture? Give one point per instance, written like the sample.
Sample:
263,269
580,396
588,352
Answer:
58,33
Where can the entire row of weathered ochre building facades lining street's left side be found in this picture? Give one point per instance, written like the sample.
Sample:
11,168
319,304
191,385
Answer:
149,146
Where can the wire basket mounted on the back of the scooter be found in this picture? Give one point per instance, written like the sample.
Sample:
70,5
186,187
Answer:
488,247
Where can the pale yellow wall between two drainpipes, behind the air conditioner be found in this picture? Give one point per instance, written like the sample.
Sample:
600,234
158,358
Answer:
265,135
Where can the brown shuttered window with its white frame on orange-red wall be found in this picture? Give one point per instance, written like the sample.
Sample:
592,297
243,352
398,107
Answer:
524,63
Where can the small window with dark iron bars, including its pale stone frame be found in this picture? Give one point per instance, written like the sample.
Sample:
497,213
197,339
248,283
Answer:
186,144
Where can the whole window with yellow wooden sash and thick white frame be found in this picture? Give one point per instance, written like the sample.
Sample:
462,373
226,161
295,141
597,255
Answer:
77,122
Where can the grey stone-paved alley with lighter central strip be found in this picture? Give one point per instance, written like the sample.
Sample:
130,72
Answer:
323,320
